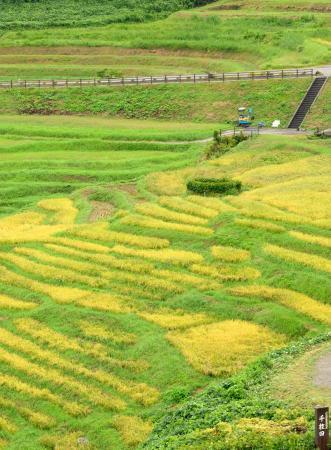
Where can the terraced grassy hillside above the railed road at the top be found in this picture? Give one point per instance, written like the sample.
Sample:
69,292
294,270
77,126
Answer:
267,34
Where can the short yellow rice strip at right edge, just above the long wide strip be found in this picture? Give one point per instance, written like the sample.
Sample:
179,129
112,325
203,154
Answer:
307,259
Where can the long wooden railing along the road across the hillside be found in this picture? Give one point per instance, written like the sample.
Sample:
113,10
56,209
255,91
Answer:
144,80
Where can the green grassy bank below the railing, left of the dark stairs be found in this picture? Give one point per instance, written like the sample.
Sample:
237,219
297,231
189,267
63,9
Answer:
201,103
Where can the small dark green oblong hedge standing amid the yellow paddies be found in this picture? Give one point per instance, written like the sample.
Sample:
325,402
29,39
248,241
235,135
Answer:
204,186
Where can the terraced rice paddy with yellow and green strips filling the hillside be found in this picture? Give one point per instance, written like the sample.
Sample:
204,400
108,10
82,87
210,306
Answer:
107,322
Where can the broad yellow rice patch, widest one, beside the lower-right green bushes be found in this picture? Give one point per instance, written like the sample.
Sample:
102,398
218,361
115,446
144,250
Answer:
224,348
